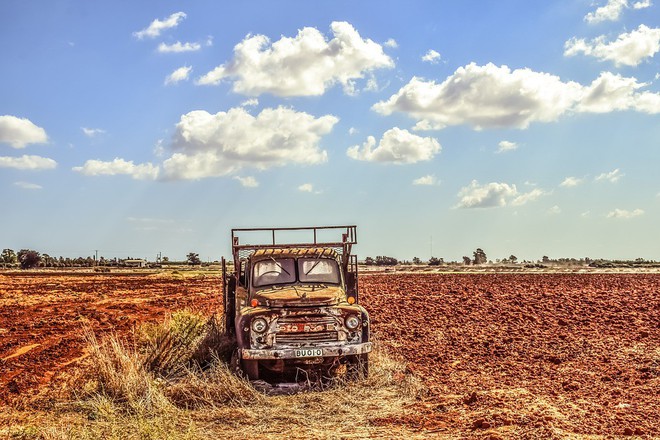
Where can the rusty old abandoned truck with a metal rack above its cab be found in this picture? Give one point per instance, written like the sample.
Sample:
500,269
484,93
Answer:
293,306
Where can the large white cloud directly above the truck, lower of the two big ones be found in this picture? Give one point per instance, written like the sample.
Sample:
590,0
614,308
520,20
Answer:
210,145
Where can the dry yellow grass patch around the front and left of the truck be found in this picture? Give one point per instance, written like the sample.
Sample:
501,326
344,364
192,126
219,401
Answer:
171,382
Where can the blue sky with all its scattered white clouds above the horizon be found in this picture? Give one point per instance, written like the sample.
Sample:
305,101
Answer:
526,128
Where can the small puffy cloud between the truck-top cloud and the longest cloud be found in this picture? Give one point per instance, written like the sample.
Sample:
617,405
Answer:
396,146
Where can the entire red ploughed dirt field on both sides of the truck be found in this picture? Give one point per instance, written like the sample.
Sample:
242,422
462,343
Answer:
502,355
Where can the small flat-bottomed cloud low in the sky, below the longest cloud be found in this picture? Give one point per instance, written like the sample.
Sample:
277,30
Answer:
494,194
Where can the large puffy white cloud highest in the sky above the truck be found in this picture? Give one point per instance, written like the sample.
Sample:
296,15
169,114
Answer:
305,65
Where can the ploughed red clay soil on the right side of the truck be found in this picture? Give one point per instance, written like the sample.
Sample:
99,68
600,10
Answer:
538,356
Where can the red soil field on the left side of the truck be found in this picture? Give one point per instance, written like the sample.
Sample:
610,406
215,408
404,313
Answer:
42,317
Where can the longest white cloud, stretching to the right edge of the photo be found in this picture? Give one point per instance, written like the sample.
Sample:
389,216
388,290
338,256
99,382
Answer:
490,97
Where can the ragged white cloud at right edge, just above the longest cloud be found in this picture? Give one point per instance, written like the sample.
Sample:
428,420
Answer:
628,50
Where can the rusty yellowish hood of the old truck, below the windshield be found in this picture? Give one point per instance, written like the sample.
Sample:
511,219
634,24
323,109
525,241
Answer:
302,296
